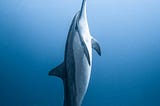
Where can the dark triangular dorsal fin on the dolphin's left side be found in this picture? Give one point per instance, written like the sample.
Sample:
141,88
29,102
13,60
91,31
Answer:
58,71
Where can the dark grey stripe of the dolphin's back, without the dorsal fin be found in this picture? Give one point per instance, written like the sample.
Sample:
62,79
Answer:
70,98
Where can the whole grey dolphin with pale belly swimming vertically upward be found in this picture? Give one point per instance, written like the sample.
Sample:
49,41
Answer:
75,70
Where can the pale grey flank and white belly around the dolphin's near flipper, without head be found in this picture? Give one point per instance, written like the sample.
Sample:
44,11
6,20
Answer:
82,68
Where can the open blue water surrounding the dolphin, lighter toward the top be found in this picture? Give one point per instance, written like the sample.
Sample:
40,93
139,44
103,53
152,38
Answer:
32,41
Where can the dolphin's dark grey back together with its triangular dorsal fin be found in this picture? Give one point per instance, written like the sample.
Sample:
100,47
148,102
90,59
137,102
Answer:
66,70
